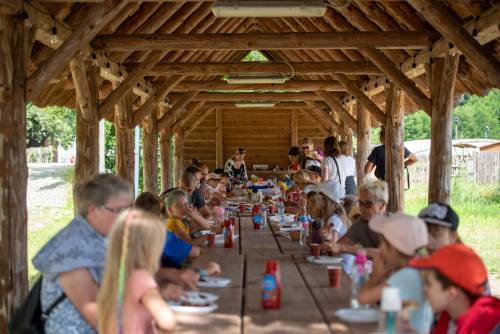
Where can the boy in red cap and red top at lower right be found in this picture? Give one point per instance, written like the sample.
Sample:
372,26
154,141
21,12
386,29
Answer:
454,283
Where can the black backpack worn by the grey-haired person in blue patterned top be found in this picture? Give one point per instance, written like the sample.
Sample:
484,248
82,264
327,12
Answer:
29,317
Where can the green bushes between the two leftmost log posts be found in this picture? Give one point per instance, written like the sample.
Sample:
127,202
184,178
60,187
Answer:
50,123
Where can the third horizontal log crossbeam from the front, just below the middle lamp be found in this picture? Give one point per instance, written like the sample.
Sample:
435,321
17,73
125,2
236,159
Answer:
292,85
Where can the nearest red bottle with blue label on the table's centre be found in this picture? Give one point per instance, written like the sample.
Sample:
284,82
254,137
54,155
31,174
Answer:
271,286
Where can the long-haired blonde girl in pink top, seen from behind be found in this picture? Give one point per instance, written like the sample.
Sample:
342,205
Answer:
129,299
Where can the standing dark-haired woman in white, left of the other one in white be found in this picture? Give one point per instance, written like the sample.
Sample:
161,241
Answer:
333,165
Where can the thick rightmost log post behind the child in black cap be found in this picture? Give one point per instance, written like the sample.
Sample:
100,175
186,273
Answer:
444,73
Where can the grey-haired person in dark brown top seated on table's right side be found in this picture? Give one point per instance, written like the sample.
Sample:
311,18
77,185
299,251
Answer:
372,200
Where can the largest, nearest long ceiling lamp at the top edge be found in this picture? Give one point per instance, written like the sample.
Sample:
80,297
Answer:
269,8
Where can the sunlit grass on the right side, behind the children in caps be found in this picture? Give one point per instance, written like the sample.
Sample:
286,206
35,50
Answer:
478,207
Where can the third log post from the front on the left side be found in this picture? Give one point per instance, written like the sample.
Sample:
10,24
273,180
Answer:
124,140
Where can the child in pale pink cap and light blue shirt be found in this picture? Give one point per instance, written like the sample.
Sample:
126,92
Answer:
402,237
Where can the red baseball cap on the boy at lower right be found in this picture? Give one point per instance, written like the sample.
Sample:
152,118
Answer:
460,264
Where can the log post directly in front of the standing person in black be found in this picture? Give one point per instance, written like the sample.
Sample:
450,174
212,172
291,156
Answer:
394,152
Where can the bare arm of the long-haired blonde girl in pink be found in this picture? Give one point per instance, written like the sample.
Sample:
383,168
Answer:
159,310
